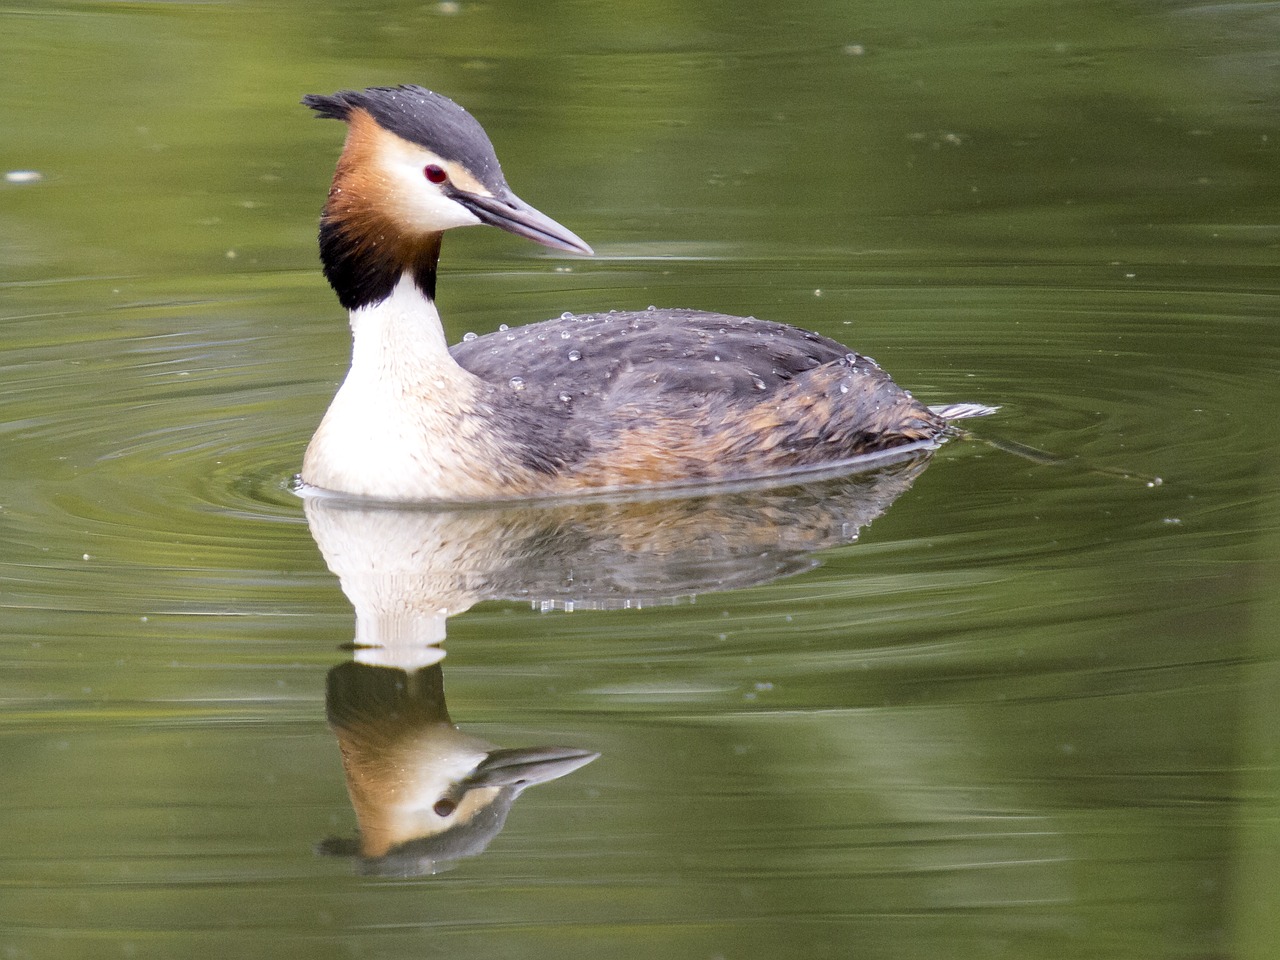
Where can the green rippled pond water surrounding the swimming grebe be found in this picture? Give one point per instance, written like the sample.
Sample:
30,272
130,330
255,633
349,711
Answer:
980,706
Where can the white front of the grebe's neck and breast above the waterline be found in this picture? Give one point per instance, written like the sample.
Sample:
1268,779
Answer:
388,432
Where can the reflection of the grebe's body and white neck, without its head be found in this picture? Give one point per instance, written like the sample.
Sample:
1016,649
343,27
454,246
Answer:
408,570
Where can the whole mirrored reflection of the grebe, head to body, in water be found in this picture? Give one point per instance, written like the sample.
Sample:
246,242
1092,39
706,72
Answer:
427,794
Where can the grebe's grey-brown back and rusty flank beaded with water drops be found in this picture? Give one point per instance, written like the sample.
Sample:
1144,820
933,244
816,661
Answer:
660,395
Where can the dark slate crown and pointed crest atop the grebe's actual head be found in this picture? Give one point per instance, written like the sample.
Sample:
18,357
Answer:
419,116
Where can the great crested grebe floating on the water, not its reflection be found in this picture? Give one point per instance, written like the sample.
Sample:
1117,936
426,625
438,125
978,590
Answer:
572,405
